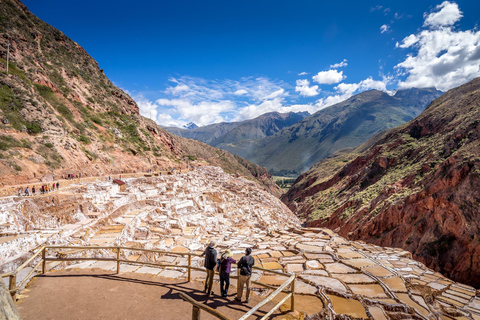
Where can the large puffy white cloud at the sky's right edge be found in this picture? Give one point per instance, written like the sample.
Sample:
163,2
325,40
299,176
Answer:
443,57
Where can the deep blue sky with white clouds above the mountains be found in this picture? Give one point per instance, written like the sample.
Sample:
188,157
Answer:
212,61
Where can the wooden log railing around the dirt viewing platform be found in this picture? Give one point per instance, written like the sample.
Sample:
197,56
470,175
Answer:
197,307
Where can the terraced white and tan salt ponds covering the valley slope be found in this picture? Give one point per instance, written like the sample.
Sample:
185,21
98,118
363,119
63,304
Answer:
181,213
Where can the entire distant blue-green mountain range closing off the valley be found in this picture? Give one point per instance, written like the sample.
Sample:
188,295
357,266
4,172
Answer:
288,144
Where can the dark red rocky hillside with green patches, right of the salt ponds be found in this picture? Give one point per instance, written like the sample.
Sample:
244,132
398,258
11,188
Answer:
416,187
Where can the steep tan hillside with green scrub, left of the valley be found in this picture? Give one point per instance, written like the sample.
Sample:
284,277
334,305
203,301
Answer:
60,114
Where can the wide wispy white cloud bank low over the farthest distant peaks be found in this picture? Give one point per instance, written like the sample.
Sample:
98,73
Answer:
205,101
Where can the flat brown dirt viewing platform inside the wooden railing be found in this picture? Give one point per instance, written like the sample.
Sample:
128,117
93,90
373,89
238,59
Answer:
103,295
